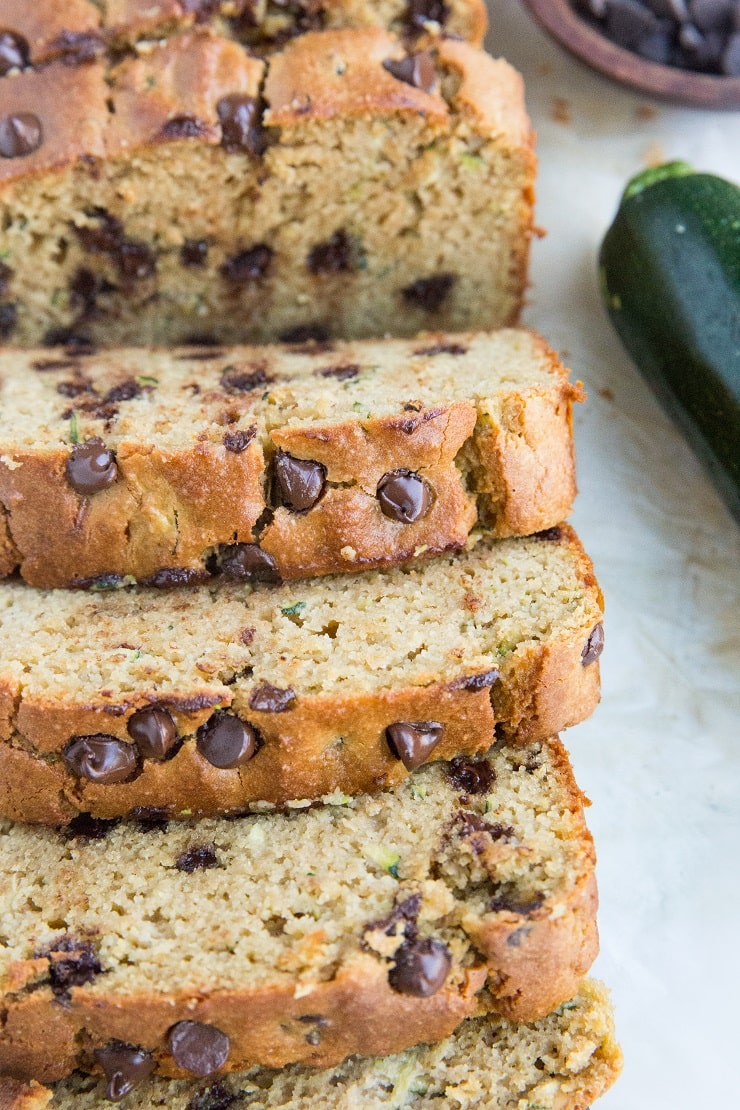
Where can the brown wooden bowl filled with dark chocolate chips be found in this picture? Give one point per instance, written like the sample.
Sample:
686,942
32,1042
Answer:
687,52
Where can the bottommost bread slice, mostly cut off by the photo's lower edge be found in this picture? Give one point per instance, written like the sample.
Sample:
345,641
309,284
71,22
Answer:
564,1062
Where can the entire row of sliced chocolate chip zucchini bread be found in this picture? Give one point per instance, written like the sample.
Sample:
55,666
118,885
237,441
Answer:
289,631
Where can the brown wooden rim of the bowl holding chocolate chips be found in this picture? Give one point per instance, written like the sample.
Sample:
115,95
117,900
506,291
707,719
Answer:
683,87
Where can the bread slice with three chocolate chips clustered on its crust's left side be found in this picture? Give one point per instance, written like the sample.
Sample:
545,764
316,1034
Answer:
210,701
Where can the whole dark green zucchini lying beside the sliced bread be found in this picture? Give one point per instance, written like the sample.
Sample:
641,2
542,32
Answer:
671,280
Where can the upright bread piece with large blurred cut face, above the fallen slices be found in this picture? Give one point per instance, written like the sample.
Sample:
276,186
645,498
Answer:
194,191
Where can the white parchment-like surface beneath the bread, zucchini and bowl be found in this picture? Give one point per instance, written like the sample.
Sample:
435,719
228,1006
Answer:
661,760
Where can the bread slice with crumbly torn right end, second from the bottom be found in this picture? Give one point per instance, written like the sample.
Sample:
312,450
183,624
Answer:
301,937
